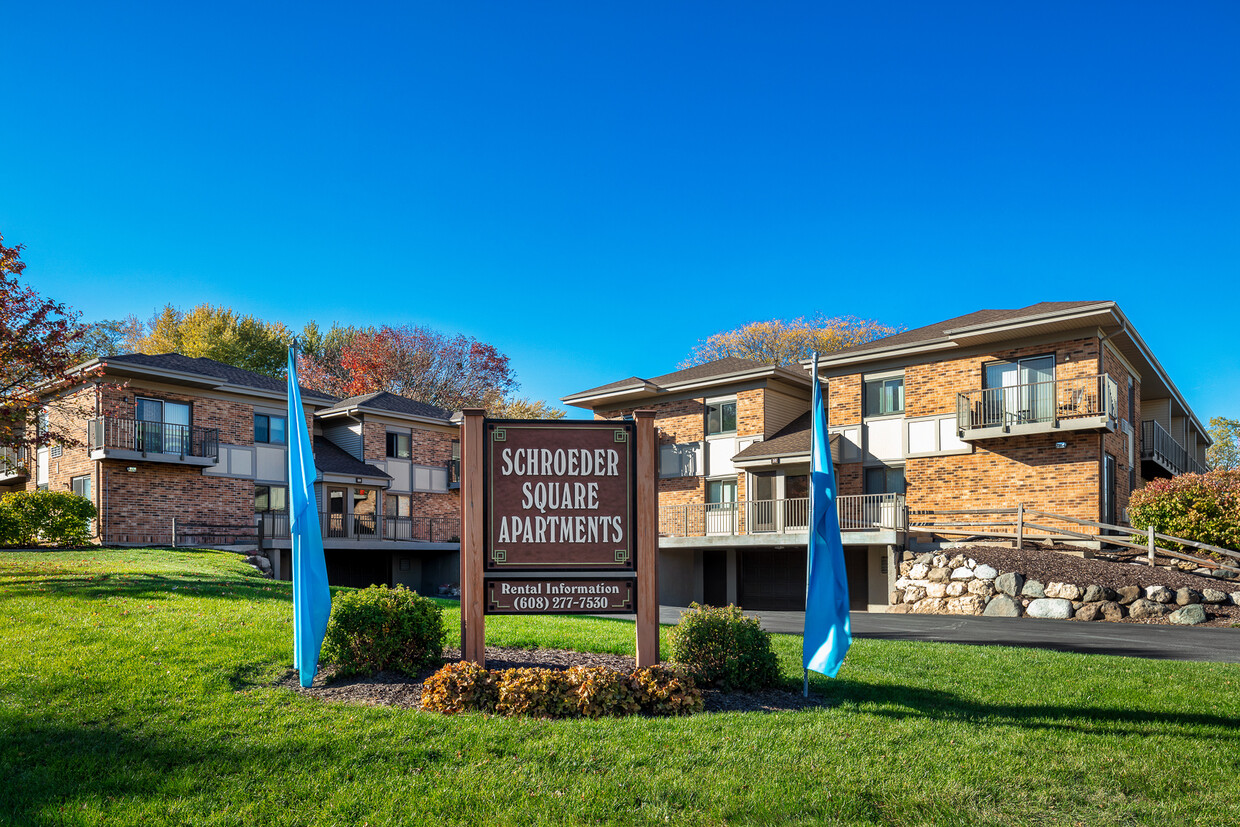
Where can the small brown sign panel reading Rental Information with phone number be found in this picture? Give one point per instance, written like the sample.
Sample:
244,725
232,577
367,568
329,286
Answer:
544,596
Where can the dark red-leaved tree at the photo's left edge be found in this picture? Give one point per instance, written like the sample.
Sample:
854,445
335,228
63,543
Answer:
39,344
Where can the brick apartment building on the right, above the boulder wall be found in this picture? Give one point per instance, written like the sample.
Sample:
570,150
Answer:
1058,406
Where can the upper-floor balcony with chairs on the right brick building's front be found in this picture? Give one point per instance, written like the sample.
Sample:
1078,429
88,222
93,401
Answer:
1088,404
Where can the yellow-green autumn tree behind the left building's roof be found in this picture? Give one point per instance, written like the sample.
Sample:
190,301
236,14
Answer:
220,334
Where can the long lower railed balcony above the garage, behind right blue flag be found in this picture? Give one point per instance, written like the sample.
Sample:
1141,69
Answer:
767,523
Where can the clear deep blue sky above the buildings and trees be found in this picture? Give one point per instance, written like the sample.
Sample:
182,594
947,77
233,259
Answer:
593,188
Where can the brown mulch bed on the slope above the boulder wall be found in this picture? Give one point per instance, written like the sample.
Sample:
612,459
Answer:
1055,566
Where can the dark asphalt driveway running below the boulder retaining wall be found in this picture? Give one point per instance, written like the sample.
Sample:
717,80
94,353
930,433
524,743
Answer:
1131,640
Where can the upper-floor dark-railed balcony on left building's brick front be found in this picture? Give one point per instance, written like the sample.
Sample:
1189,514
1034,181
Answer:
152,442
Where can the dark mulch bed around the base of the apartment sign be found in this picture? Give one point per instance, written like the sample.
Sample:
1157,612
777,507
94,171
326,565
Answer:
395,690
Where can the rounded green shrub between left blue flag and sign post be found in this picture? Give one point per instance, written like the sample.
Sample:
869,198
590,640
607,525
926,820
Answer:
380,629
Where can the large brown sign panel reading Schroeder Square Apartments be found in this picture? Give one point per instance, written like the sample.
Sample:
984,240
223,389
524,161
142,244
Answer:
561,497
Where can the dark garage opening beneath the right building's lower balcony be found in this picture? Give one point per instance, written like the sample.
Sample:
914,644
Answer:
774,581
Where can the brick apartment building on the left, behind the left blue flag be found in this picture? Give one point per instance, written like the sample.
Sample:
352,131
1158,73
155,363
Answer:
195,452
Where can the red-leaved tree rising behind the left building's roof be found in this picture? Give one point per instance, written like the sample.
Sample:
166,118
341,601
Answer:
411,361
